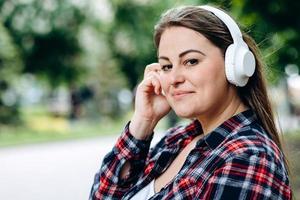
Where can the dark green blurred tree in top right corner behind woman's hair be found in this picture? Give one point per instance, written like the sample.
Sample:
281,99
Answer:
276,27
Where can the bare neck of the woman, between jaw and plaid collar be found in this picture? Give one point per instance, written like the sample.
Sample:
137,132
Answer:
211,120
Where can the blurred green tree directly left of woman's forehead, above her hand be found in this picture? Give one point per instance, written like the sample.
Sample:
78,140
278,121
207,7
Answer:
130,35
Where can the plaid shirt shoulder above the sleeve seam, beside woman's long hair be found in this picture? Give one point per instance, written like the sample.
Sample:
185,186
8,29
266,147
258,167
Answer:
252,144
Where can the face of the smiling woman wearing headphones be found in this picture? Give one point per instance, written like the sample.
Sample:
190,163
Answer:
193,75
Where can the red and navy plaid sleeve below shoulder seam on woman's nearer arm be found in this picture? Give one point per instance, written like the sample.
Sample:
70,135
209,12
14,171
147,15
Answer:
248,177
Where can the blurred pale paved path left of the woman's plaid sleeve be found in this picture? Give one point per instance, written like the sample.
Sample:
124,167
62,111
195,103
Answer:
52,171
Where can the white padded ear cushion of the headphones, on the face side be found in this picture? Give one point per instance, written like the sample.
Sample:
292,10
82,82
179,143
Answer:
229,64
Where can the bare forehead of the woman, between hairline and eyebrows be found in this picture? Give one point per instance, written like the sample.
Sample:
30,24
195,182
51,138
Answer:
175,40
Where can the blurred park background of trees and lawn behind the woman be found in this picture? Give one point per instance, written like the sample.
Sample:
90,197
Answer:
68,68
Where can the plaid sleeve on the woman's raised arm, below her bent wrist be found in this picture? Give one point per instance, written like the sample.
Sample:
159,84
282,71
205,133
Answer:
107,182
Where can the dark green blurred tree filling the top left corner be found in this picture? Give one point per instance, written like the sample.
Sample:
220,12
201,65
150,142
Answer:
46,34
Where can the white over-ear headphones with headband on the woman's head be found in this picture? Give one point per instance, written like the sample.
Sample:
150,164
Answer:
239,60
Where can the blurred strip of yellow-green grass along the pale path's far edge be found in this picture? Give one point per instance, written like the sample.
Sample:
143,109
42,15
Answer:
39,127
